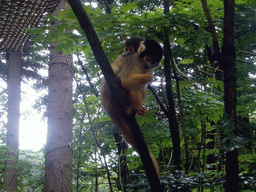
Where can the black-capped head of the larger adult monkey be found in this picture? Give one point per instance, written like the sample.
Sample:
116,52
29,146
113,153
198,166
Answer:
152,54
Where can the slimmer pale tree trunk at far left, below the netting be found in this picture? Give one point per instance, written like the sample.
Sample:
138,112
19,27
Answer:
12,138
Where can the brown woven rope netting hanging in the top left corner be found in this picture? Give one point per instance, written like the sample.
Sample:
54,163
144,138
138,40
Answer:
18,15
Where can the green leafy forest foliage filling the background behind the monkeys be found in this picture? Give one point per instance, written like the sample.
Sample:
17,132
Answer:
210,134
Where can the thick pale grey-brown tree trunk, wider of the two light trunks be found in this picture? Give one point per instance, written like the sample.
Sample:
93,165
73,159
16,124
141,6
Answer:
58,159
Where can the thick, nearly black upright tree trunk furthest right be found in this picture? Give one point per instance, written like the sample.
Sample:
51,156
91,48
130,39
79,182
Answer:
229,66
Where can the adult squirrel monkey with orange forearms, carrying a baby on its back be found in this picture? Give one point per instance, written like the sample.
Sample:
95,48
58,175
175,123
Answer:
134,70
